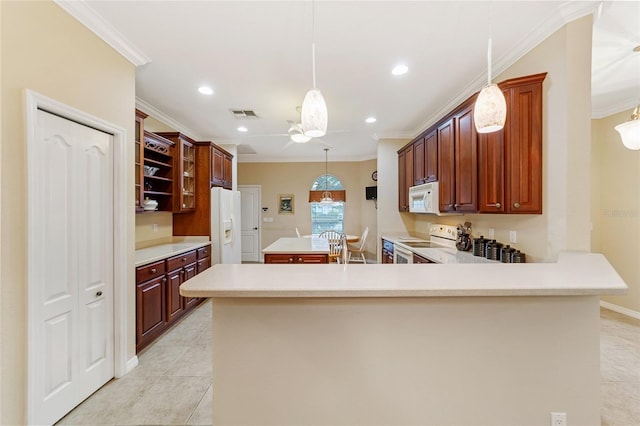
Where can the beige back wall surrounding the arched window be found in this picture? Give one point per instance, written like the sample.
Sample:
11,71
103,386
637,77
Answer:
296,179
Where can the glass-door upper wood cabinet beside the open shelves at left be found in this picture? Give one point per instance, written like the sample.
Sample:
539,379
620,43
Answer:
185,173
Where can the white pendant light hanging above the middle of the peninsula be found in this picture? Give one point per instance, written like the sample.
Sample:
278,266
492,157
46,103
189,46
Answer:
314,115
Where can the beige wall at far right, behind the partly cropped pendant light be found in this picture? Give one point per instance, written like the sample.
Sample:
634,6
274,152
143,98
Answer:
615,207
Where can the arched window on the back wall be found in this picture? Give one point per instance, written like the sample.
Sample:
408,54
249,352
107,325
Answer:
327,216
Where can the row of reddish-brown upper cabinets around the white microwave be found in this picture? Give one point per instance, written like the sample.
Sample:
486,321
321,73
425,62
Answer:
499,172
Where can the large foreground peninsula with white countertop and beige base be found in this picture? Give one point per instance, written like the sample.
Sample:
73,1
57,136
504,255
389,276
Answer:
407,344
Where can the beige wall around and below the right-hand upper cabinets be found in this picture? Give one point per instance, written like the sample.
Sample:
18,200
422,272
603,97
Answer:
565,222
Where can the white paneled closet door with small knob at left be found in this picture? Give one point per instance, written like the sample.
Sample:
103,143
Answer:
72,217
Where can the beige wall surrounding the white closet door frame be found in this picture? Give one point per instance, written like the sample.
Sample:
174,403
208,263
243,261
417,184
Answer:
76,68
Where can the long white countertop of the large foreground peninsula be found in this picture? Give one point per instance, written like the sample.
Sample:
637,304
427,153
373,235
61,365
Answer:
574,274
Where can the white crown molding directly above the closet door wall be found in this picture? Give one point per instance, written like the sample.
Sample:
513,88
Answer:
91,19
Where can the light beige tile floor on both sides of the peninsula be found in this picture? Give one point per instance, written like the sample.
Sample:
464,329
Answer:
172,383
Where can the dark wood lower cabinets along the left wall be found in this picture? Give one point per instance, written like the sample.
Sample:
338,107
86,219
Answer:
158,301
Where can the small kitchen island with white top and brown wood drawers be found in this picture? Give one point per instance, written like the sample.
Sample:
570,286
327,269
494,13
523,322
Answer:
297,250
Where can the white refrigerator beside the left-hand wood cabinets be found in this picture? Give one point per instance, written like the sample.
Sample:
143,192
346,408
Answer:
225,225
